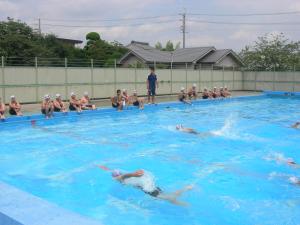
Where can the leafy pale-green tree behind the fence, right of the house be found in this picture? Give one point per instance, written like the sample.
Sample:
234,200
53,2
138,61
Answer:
272,52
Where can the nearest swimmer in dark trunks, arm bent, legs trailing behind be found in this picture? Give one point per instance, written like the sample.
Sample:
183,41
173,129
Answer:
137,179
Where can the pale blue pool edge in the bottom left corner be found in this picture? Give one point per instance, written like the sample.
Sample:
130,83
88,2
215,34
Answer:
21,208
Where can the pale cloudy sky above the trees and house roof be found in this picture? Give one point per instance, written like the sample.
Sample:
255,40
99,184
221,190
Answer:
160,20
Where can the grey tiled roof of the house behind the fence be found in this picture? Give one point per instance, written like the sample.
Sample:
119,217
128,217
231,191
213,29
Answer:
147,53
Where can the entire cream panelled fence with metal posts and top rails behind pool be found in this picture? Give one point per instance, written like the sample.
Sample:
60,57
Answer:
30,83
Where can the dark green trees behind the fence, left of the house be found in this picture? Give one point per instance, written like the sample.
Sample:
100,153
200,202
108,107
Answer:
20,44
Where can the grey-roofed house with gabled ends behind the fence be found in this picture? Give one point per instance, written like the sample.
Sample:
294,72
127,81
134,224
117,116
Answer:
141,53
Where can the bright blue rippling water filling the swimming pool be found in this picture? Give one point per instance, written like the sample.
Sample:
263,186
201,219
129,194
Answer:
239,174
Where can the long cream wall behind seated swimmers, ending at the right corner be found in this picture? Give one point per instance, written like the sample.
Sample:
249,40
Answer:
30,84
